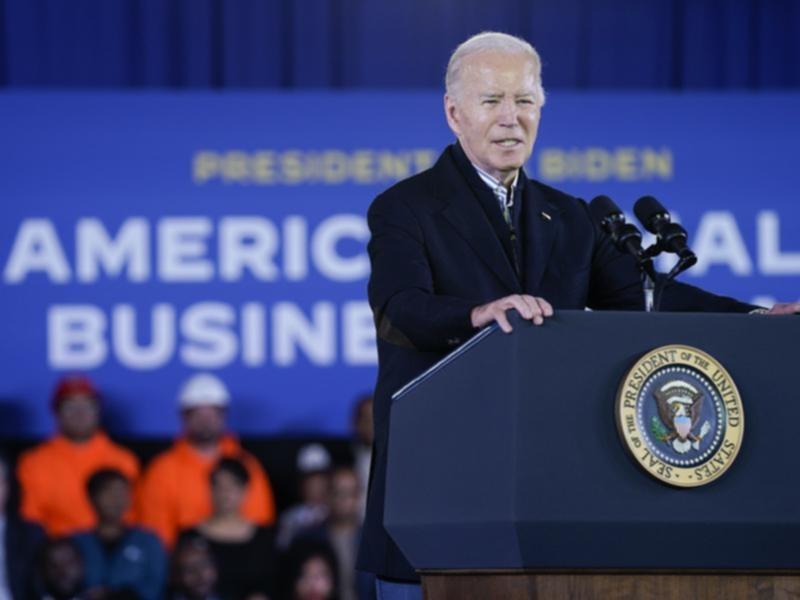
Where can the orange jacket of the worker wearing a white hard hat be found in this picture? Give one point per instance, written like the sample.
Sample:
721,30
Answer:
175,492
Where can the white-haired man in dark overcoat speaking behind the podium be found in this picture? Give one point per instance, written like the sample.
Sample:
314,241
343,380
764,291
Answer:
457,246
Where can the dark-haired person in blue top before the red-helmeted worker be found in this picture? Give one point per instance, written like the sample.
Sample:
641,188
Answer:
119,560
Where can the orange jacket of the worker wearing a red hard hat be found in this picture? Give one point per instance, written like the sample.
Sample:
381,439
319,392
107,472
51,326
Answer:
53,479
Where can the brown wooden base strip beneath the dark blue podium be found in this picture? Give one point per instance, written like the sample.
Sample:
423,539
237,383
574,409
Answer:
609,586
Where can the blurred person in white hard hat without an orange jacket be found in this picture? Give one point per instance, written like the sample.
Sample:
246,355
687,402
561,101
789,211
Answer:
313,468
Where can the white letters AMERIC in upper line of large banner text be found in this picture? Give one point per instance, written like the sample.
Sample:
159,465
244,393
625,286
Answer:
182,252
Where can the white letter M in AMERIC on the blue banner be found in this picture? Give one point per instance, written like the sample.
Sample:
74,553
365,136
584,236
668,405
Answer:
95,249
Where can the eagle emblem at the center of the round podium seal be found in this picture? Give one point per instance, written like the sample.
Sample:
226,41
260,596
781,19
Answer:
679,407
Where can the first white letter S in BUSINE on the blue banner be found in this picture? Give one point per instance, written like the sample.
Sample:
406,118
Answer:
210,341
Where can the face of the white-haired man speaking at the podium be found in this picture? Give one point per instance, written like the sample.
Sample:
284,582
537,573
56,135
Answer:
494,111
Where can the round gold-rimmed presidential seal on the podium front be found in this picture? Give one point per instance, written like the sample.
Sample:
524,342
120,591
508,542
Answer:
680,416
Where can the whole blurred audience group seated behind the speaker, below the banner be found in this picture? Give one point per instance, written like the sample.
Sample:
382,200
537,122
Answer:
205,487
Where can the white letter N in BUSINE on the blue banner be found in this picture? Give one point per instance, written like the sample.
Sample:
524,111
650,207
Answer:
292,331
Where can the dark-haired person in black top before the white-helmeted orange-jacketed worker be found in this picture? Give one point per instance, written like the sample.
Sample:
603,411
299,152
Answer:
243,552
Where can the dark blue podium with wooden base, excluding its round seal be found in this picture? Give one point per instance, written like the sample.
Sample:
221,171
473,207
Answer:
507,477
